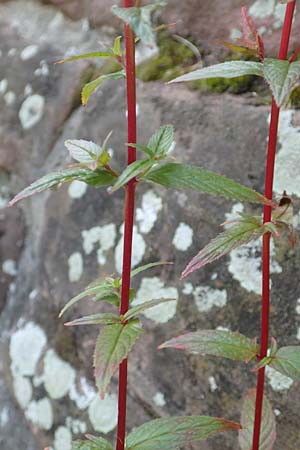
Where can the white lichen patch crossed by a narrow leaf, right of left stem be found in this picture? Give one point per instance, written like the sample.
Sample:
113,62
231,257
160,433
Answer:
154,288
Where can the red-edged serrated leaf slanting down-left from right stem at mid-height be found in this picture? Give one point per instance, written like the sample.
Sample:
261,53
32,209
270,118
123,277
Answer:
243,232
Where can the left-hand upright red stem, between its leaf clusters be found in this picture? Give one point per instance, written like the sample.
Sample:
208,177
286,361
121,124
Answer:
129,219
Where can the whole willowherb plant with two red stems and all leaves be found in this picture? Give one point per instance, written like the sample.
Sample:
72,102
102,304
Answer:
120,329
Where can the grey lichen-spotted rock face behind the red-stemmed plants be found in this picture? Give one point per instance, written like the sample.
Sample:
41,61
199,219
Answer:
58,242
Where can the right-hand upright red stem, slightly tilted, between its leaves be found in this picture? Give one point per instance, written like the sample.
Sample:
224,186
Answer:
272,145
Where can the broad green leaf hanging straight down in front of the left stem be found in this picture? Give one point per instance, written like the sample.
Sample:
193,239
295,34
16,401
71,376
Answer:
113,346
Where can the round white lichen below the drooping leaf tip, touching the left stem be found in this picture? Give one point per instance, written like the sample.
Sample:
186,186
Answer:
103,414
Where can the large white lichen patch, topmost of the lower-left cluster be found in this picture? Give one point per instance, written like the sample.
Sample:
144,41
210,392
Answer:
25,349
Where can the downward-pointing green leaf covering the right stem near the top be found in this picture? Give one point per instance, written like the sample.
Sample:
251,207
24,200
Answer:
282,76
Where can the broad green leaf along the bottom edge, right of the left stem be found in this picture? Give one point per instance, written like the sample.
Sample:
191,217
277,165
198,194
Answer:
176,432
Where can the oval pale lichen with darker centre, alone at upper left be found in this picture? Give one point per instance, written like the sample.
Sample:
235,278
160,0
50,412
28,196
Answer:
31,111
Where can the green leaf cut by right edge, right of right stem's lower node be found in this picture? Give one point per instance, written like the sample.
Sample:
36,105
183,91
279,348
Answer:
287,362
